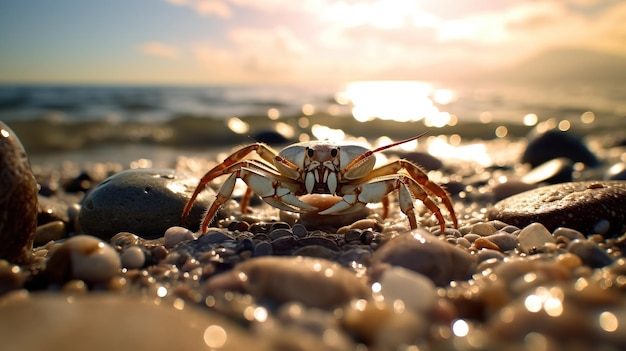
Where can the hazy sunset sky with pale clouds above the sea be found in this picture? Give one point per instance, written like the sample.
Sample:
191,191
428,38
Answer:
286,41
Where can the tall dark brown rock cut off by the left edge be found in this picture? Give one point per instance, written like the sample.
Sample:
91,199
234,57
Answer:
18,199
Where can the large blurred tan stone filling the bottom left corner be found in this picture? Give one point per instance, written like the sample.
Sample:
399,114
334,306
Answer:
102,322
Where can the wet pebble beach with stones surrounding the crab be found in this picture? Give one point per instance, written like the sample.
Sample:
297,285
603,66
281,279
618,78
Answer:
94,253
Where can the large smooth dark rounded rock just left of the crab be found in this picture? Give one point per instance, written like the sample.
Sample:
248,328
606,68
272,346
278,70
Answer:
144,202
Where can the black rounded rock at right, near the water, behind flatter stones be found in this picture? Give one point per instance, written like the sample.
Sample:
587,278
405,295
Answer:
552,144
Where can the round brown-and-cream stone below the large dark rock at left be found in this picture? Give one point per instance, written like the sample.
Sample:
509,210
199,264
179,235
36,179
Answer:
83,257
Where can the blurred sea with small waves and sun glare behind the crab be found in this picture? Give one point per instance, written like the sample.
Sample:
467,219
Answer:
57,122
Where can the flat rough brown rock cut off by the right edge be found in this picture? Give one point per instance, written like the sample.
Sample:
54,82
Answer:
589,207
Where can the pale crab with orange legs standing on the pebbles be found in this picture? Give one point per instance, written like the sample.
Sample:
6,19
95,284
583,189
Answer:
346,170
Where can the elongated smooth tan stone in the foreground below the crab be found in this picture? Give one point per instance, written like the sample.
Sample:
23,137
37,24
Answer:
313,282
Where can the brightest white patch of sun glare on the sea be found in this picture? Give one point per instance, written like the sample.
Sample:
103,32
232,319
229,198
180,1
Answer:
402,101
